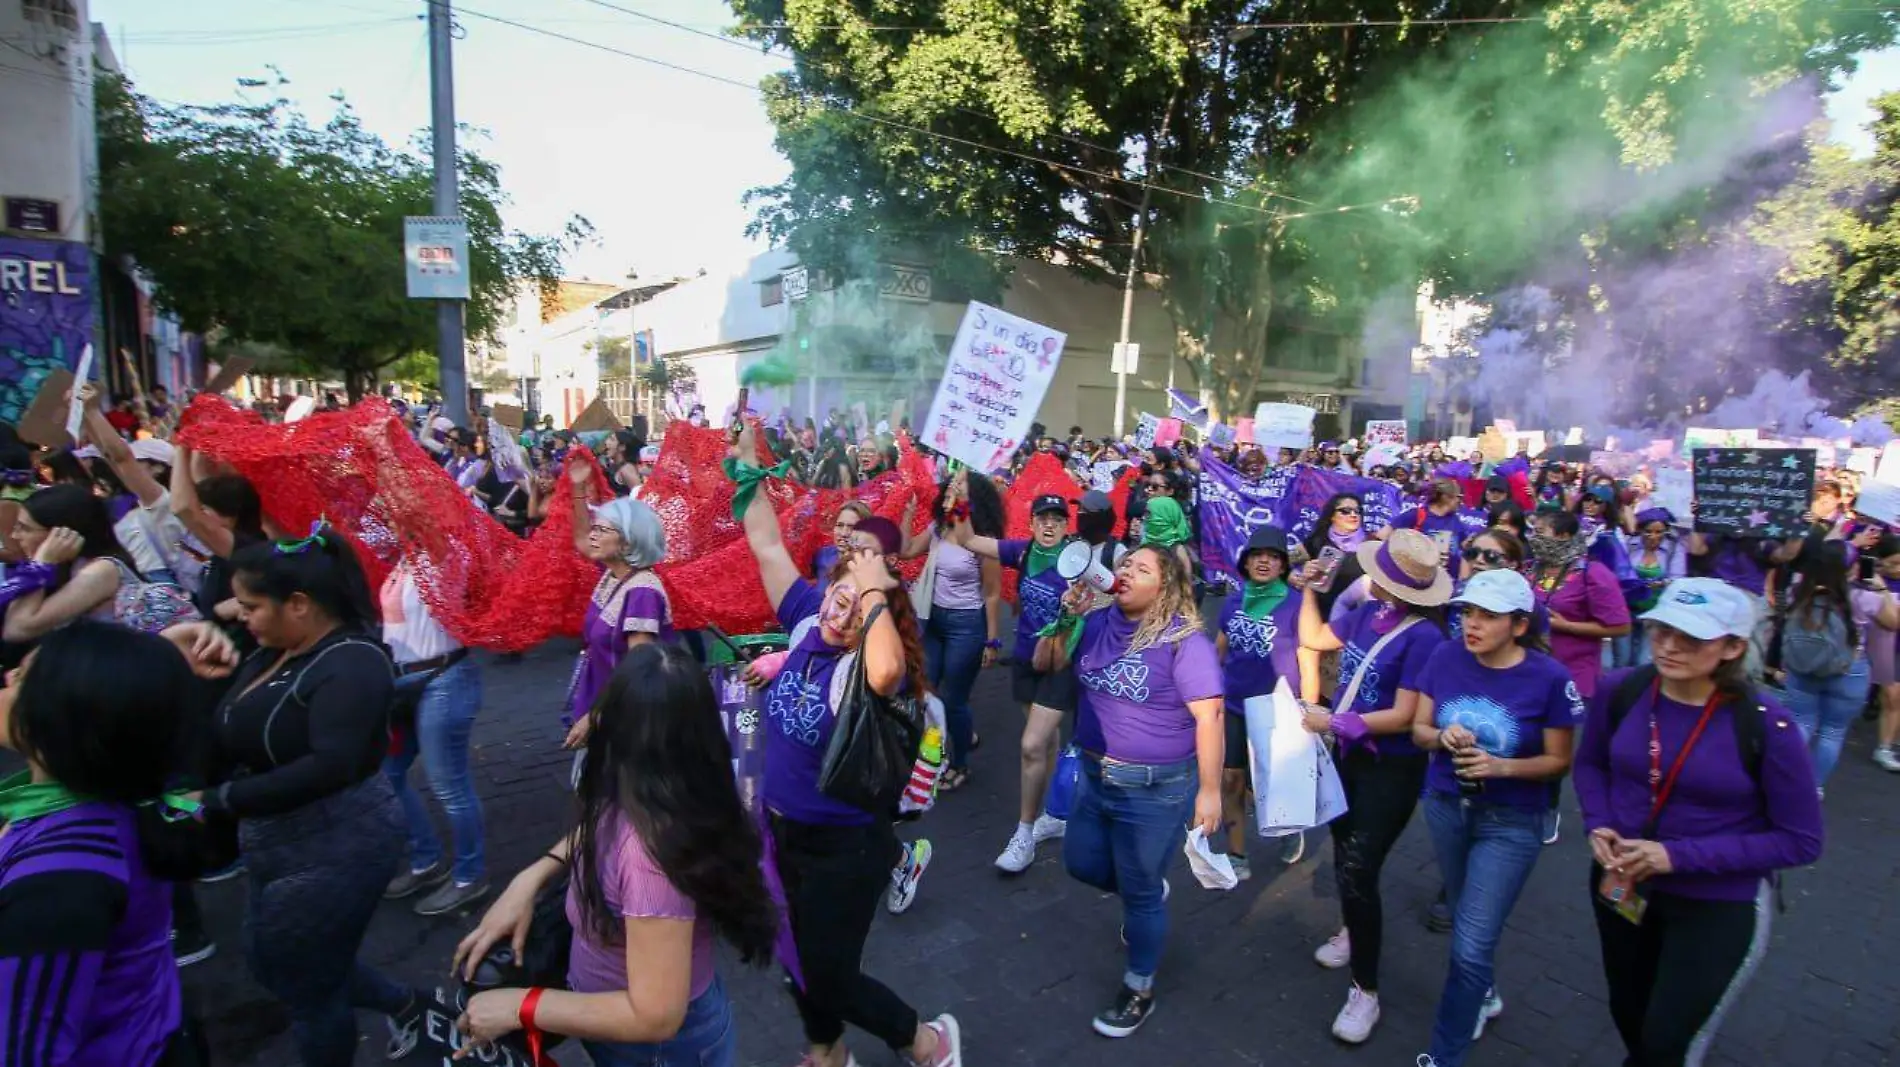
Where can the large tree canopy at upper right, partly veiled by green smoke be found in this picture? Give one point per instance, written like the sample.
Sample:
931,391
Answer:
1293,160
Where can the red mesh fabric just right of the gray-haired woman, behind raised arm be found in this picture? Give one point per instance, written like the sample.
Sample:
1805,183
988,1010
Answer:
710,572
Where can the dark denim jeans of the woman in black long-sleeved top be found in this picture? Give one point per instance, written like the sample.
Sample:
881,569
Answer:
316,878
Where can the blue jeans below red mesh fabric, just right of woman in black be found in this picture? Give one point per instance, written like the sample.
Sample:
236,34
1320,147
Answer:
442,738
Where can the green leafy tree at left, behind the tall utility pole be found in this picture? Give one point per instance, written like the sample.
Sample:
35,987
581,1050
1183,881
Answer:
257,221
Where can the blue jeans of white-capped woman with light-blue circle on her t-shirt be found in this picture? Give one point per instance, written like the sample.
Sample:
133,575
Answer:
1487,855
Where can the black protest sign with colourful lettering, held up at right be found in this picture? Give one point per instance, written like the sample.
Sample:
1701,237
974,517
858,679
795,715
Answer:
1753,493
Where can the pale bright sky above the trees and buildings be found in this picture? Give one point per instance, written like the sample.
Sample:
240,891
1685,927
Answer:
656,159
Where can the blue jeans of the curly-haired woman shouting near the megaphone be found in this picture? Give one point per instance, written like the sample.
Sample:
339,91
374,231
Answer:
1124,833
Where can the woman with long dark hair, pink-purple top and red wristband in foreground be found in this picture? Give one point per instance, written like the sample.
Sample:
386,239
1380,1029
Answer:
664,861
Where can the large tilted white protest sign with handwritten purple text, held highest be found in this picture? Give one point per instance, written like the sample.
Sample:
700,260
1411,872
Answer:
995,381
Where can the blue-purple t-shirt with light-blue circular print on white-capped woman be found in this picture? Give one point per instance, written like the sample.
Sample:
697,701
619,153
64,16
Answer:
1508,711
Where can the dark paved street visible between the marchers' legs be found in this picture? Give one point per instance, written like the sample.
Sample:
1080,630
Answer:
1025,962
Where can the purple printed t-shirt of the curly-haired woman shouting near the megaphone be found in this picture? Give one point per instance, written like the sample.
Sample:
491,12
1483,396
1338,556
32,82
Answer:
1135,707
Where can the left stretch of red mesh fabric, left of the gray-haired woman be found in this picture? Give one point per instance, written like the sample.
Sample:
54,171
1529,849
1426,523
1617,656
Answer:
366,476
